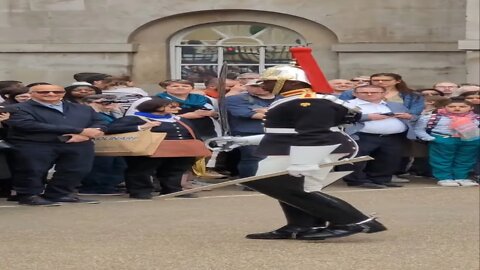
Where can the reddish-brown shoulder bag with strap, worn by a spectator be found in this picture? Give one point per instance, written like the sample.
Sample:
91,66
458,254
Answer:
182,148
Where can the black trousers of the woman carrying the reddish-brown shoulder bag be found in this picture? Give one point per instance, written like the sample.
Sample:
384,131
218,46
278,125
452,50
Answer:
169,171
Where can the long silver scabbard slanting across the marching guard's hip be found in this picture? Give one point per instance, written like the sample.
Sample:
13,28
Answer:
259,177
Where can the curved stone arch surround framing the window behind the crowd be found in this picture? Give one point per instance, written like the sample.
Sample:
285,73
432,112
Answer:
151,63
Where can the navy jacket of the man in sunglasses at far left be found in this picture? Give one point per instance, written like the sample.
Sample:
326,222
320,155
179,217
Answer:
32,121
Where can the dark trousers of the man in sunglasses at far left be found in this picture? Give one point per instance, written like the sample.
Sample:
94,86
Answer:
32,160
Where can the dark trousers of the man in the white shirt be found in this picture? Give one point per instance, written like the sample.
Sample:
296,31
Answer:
387,153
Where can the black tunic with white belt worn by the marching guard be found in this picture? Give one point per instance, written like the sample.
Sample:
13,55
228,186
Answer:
311,120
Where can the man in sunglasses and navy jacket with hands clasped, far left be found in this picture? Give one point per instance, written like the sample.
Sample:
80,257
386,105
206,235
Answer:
45,131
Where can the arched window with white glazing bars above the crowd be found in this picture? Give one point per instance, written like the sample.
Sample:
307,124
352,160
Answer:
198,53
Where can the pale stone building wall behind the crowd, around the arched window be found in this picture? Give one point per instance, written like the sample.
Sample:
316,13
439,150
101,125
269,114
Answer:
48,40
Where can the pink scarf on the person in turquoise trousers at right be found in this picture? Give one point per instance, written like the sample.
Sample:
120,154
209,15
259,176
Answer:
463,124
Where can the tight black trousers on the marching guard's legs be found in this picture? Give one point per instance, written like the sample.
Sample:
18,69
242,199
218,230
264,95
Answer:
306,208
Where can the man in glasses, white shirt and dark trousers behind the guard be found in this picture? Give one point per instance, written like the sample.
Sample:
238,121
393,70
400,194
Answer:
381,133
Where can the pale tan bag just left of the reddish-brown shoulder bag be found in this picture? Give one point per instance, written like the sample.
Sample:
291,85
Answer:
139,143
